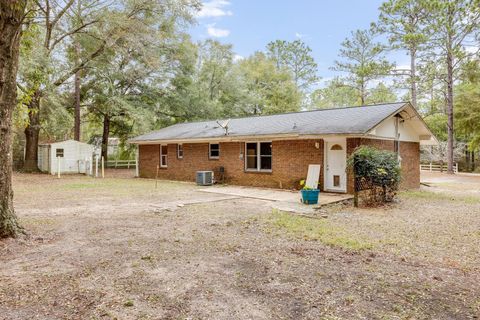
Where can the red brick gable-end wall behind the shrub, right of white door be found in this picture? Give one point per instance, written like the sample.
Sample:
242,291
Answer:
409,152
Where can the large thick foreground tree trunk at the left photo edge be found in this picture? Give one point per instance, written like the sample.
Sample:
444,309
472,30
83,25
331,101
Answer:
11,14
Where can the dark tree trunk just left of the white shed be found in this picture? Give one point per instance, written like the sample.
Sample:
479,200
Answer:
32,132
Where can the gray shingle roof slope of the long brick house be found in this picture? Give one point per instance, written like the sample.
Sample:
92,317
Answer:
352,120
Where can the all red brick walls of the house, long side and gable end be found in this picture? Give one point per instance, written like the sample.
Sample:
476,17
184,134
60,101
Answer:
290,160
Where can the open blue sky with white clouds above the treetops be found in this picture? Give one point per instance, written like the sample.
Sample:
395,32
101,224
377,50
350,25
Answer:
249,25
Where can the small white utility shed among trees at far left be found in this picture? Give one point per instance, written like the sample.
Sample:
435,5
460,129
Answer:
74,157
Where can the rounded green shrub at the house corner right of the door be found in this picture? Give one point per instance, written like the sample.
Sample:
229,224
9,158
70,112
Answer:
378,171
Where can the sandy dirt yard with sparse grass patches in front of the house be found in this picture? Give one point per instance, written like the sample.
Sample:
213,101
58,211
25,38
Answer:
119,248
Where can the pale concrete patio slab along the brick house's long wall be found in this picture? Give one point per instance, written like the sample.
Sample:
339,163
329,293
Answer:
284,200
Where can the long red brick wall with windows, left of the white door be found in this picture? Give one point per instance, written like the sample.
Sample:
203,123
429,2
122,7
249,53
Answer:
290,160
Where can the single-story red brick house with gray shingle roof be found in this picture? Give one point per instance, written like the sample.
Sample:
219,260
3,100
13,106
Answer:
275,150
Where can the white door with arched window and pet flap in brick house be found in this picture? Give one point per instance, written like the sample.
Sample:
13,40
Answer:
336,164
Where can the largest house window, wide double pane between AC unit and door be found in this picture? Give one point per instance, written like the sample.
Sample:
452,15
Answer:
258,156
